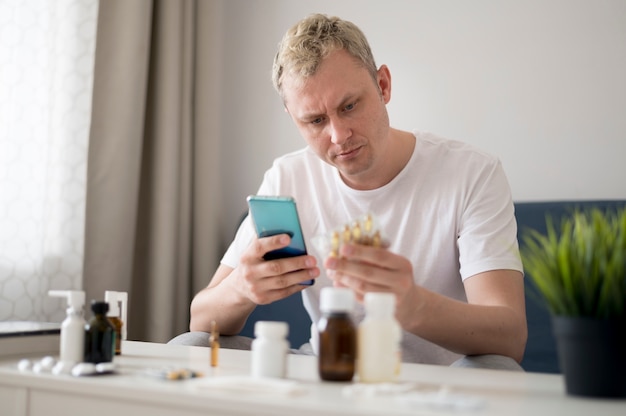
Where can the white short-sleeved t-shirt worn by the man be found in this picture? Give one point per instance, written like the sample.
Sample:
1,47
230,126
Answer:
449,211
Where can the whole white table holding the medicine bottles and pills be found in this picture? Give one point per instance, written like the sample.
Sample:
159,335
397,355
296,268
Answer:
132,392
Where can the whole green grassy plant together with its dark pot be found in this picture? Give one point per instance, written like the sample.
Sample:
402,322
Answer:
579,268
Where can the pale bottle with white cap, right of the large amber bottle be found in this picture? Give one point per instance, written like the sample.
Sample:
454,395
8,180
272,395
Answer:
379,336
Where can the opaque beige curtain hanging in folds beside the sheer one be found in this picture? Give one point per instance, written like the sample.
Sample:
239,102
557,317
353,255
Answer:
151,226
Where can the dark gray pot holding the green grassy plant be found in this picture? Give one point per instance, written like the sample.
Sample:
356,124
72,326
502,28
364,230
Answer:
592,355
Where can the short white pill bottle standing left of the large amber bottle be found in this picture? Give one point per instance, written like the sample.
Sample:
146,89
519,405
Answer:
269,349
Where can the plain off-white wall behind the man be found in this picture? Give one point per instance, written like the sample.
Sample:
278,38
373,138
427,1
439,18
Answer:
539,83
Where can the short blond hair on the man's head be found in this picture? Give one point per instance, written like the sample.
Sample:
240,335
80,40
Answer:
312,39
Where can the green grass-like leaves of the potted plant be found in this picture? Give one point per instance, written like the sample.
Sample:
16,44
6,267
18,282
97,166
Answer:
579,268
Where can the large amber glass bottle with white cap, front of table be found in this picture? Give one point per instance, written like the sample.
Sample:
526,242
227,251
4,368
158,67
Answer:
337,335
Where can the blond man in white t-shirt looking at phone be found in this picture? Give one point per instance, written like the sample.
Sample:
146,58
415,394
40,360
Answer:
445,207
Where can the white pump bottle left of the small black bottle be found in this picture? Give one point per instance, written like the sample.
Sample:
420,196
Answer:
72,330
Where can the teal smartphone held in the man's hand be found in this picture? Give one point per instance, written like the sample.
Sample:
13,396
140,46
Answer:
274,215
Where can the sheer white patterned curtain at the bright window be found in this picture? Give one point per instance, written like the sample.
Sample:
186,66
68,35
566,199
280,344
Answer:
46,76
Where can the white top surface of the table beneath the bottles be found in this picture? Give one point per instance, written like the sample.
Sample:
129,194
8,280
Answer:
228,388
